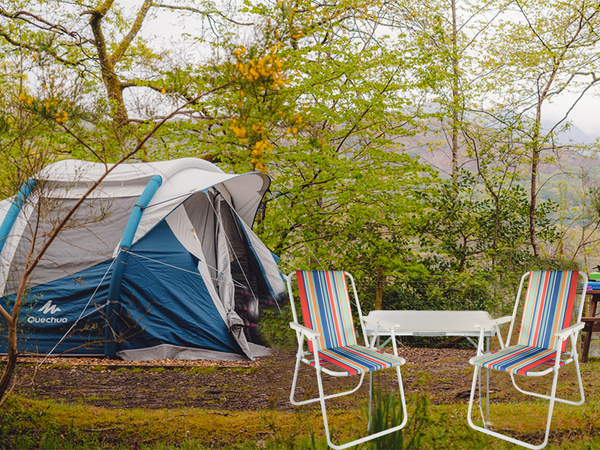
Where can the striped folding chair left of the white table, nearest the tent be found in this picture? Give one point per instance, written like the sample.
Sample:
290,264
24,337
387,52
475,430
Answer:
332,345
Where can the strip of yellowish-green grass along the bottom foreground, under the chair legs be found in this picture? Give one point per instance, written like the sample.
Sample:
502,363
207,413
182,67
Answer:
45,424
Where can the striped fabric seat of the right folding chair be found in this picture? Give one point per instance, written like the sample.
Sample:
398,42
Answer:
520,359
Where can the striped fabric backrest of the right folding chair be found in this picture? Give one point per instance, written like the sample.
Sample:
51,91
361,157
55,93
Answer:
548,307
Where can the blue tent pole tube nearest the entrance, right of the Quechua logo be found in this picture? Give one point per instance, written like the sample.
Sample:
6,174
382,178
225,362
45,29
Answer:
110,332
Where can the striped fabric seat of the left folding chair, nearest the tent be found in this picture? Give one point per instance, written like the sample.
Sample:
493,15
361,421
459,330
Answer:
355,359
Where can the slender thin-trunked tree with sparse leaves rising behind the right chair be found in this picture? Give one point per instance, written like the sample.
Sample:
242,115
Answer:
548,51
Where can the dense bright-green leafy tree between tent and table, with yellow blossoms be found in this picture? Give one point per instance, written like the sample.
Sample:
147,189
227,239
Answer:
320,105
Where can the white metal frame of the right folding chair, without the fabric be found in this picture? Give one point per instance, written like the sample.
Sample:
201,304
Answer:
570,333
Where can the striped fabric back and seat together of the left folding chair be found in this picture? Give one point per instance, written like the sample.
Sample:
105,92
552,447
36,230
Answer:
325,303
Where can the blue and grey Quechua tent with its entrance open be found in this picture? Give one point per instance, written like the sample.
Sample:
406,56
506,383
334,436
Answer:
159,262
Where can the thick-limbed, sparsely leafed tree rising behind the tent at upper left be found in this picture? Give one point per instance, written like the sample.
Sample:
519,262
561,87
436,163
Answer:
103,44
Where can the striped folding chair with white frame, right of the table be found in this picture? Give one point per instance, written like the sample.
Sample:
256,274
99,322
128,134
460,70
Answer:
542,343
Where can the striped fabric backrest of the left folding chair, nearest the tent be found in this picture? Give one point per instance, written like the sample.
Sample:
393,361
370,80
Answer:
325,303
